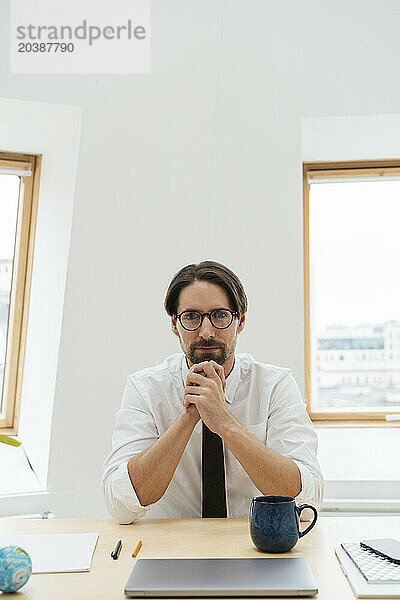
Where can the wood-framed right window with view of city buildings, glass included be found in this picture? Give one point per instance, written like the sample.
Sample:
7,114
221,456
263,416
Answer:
352,289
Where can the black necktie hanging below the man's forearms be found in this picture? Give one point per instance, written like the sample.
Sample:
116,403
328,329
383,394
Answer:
213,475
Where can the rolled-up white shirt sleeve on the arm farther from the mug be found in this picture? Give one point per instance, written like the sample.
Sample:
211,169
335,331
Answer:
134,431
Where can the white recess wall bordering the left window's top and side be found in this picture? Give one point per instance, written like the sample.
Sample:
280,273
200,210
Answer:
52,131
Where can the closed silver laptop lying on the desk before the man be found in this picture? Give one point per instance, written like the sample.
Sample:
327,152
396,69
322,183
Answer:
212,577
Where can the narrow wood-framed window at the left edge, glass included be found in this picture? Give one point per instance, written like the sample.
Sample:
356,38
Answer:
19,182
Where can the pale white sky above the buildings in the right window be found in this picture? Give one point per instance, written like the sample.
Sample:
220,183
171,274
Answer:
354,252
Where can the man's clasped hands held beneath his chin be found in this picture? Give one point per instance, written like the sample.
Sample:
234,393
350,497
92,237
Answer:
205,387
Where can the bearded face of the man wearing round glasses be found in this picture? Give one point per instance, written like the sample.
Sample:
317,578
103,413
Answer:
207,342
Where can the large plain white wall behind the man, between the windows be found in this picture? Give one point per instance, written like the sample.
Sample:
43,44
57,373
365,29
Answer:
215,128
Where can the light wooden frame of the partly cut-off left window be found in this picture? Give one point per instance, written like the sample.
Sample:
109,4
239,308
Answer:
21,284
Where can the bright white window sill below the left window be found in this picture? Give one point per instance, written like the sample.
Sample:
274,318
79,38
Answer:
17,474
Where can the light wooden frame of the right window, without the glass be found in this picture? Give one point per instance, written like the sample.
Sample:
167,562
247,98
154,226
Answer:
344,417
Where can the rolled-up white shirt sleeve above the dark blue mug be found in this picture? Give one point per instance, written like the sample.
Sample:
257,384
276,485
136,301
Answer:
291,433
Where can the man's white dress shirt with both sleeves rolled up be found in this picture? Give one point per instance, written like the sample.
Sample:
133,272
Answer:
264,398
